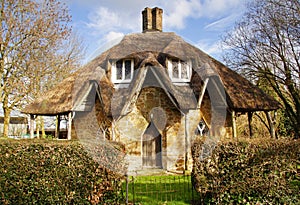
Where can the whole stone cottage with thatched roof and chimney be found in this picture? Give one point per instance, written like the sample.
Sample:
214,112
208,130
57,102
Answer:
154,92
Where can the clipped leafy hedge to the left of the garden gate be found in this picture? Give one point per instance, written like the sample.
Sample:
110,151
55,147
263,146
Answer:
55,172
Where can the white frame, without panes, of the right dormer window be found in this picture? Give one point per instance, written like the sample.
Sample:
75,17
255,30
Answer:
179,79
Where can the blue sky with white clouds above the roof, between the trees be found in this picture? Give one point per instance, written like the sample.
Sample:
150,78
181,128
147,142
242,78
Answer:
200,22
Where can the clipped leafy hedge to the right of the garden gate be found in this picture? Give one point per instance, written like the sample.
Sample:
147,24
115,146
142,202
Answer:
247,171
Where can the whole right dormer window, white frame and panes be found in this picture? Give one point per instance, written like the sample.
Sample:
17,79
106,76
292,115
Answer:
179,71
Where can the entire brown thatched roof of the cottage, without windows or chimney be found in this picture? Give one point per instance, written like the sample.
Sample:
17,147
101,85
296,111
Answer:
150,48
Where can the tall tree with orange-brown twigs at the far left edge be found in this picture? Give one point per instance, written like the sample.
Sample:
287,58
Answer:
33,51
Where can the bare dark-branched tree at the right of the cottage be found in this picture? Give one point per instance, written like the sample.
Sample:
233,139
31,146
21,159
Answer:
265,45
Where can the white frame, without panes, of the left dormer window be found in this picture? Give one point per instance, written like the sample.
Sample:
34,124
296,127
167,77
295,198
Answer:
114,71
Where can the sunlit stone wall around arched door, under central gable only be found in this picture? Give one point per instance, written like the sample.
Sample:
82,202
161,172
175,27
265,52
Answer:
153,101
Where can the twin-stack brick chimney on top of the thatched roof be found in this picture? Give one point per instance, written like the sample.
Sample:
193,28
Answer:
152,19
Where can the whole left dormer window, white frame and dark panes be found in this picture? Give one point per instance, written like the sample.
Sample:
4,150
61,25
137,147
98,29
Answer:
122,71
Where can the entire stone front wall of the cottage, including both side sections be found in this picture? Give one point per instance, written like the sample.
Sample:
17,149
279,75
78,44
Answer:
153,105
